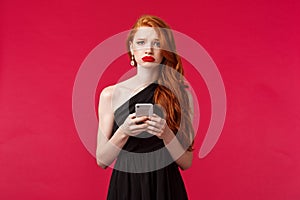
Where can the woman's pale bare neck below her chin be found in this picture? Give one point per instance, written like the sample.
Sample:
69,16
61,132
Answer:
147,75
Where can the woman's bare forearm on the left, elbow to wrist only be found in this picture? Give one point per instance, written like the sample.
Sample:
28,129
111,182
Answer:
109,151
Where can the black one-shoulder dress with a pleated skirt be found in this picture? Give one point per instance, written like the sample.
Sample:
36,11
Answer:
144,169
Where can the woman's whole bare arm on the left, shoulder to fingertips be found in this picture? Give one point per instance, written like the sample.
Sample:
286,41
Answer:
108,146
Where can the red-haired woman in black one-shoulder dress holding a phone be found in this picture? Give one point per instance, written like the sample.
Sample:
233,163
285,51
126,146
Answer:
149,149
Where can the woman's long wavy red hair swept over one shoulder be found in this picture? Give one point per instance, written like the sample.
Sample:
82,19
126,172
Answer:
171,92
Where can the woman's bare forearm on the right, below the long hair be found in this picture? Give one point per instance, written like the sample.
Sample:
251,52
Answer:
182,157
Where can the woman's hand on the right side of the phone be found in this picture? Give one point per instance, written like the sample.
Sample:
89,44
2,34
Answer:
157,126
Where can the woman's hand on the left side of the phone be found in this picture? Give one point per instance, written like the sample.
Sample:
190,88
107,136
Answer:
133,125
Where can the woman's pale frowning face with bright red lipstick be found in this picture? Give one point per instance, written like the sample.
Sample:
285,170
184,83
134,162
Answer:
145,47
